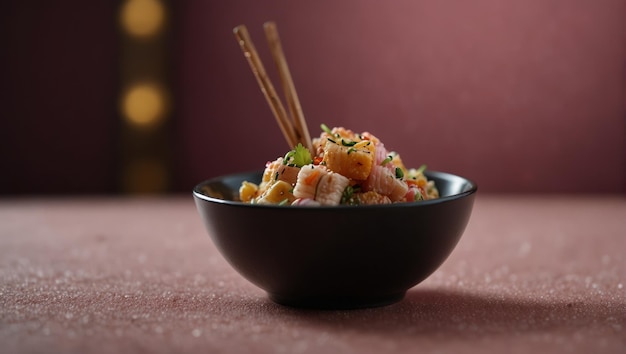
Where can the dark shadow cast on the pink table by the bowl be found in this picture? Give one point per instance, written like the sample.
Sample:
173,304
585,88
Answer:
444,312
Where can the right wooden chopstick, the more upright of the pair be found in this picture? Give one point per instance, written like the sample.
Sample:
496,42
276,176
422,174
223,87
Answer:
301,129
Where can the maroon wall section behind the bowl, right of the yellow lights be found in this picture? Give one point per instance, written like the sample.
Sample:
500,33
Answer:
522,96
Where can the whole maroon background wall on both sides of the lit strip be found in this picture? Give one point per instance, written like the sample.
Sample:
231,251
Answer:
521,96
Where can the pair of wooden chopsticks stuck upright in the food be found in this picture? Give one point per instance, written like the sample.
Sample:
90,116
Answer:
293,127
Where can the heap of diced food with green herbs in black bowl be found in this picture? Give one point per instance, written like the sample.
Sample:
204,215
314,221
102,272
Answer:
344,168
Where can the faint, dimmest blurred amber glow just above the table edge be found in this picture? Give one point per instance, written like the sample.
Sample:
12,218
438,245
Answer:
147,176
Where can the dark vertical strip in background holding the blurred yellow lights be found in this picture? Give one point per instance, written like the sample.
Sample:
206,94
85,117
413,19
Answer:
145,150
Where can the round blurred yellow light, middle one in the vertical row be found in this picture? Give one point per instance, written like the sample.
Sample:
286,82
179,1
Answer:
144,105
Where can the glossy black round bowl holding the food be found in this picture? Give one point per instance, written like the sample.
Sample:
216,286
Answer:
335,257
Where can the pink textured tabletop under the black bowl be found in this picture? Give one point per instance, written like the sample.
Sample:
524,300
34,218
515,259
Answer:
531,274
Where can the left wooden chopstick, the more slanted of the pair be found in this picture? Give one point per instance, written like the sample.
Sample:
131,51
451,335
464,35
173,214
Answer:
249,51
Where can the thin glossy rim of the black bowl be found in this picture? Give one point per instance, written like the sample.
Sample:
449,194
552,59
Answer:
473,188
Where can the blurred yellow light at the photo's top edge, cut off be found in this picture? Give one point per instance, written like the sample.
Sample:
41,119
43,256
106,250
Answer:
142,18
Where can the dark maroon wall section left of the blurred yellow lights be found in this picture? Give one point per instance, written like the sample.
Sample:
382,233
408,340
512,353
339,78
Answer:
58,108
